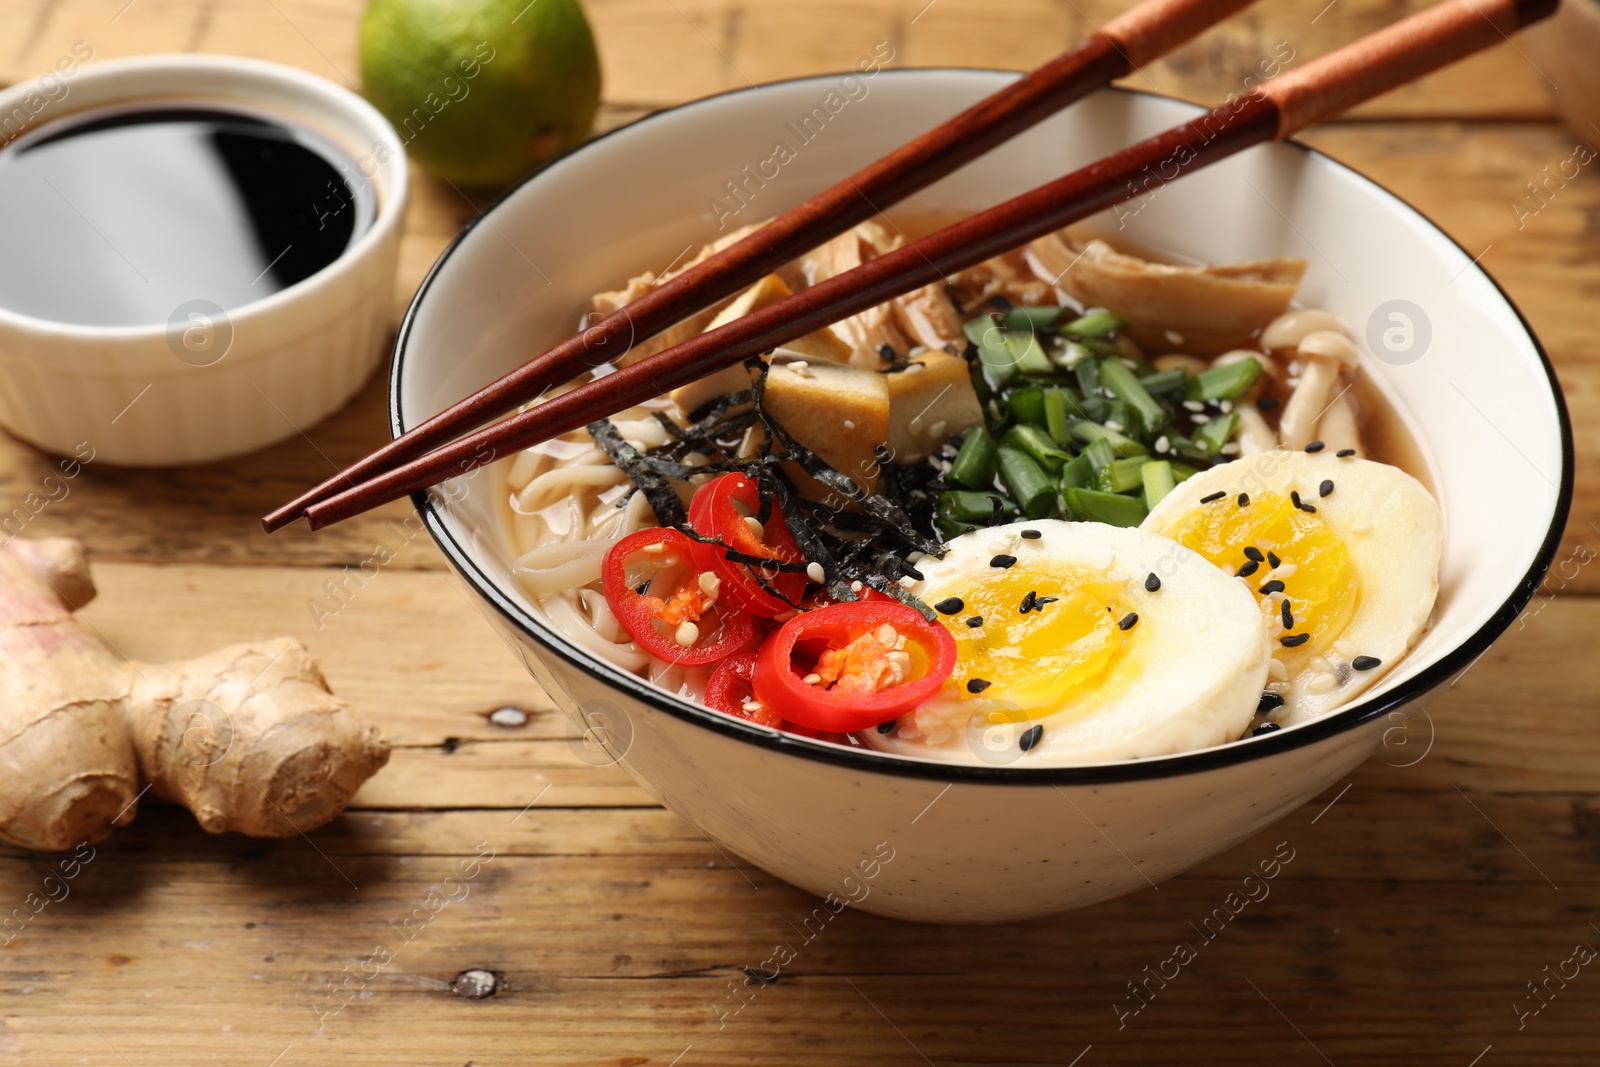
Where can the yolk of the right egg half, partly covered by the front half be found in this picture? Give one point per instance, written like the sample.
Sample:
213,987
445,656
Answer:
1314,565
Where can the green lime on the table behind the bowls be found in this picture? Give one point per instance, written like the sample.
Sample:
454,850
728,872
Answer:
482,90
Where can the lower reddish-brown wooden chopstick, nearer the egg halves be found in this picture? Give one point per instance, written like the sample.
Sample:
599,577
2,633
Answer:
1314,94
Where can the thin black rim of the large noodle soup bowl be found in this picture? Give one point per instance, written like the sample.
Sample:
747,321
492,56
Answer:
871,761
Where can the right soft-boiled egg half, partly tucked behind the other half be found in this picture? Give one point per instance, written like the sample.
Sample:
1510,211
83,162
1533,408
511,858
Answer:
1340,553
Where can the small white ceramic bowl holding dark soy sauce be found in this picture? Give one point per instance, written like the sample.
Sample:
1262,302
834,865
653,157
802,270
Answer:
199,391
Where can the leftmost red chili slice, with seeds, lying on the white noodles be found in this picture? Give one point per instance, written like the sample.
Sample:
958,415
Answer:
654,620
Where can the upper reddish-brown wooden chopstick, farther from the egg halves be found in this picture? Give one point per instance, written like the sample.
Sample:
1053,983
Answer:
1118,49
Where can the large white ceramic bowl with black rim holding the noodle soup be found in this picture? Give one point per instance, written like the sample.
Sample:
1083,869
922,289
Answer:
988,844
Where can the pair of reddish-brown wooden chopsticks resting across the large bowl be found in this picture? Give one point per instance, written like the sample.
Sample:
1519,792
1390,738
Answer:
1321,90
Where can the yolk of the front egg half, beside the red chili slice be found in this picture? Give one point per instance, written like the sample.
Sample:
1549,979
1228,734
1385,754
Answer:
1042,658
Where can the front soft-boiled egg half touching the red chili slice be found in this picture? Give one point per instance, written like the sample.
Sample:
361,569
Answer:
1081,644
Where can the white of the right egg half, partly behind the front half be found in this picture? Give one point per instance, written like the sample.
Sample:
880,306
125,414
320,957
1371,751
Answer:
1393,530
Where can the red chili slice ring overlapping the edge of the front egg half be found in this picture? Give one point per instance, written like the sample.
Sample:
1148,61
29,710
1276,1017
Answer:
858,681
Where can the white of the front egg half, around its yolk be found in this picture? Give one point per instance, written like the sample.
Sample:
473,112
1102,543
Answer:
1193,679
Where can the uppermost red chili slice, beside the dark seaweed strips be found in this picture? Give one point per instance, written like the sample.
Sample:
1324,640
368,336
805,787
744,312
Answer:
716,513
